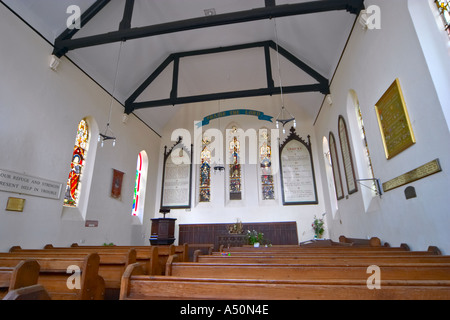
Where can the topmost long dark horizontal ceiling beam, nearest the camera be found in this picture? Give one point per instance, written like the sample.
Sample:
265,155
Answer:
62,46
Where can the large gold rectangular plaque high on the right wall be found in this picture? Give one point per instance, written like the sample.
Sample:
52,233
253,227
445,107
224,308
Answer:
394,122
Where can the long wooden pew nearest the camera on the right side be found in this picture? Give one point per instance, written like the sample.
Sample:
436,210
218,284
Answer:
136,286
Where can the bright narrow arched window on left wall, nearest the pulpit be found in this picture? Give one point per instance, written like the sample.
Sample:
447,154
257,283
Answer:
140,186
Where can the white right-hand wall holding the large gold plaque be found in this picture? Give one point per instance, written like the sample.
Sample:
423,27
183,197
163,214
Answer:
372,61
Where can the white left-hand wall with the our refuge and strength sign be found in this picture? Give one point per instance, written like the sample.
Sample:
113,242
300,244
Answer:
40,111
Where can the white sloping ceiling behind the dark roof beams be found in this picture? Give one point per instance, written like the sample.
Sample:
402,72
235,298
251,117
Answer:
316,39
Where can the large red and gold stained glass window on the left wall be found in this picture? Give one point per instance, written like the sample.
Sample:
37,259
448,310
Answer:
77,165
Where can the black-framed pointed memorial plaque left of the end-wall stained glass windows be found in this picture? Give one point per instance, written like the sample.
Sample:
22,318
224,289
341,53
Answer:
177,177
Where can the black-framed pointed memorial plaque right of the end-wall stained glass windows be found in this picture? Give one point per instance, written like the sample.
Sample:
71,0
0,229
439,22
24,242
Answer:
298,182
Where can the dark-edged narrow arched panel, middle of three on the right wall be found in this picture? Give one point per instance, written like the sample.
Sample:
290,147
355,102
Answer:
347,156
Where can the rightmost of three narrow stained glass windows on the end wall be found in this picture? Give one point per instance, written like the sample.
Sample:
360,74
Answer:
265,158
